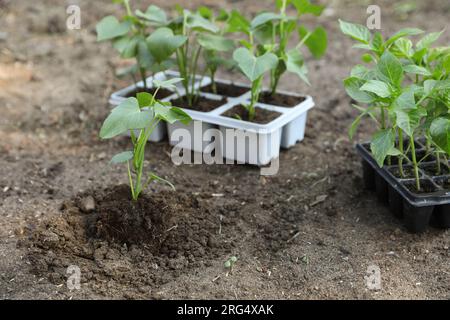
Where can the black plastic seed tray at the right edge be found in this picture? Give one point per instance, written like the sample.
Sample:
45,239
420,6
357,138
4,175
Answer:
418,210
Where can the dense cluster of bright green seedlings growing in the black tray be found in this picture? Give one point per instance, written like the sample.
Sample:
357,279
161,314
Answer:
406,92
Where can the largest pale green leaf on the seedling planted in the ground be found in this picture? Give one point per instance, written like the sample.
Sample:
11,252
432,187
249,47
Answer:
126,116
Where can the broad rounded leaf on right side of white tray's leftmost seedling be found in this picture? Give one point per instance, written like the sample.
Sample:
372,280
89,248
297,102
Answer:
163,43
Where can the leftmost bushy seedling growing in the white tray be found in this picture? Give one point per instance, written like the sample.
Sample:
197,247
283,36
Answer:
130,36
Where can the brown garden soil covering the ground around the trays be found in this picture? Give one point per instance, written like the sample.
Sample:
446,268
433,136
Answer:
309,232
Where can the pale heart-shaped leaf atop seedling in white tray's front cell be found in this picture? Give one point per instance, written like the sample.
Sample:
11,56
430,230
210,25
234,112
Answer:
254,67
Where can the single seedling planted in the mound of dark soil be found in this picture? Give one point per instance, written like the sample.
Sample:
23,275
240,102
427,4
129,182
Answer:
140,116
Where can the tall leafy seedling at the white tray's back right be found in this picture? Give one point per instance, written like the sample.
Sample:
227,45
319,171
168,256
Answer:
272,32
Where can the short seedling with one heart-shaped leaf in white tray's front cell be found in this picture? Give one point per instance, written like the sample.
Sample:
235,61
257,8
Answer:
254,68
